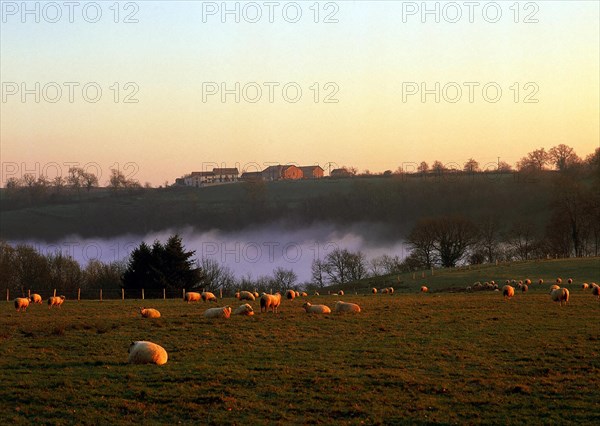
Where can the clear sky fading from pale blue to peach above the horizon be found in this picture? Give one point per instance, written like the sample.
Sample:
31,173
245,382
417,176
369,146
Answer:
160,89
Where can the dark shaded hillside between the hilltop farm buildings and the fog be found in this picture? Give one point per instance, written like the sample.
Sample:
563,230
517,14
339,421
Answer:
395,201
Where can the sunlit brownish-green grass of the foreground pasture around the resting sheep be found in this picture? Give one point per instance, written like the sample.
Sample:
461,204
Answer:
408,358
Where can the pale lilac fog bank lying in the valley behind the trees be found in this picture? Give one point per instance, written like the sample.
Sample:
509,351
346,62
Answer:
251,252
